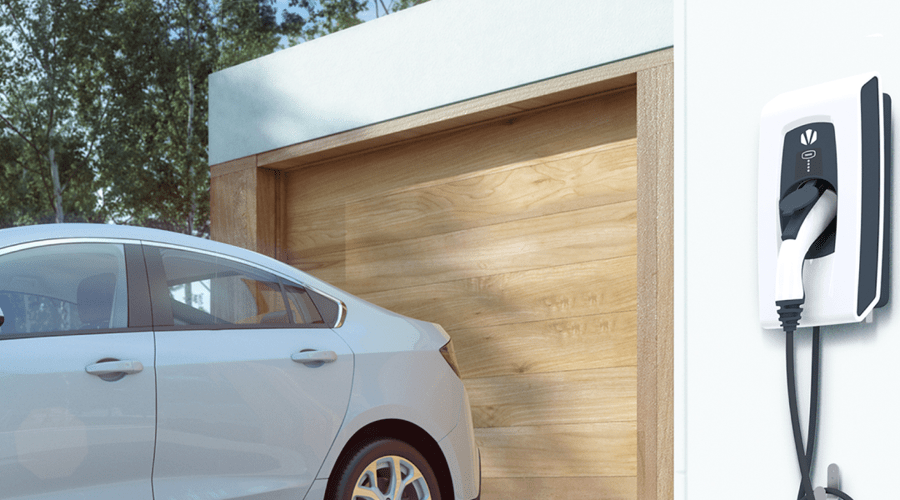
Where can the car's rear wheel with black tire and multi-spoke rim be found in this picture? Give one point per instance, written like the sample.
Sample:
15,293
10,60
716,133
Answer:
387,469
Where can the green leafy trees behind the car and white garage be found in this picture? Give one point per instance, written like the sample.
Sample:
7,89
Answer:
104,103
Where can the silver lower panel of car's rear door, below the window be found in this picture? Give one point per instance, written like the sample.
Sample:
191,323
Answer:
239,419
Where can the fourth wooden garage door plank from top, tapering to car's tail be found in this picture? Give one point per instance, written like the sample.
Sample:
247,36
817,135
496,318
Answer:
585,289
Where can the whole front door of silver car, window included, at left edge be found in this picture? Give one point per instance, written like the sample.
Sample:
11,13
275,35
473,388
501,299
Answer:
77,385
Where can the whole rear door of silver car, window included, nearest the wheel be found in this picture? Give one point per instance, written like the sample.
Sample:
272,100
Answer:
251,394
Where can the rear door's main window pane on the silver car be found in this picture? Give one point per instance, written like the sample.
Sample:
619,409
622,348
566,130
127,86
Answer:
205,290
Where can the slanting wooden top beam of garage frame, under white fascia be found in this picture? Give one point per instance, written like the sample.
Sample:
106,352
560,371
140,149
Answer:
527,97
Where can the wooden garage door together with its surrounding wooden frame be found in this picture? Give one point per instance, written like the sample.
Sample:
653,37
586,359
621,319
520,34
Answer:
534,225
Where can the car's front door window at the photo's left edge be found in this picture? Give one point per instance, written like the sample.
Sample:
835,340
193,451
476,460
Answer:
63,288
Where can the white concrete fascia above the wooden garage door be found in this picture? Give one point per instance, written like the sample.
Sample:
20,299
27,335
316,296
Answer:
435,54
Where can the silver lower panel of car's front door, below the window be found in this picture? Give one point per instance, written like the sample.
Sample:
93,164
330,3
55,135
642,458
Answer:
62,430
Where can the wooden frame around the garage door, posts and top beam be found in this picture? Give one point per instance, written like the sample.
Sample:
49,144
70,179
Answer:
247,207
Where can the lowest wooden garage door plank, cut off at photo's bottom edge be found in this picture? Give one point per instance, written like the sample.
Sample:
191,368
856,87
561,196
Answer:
560,488
